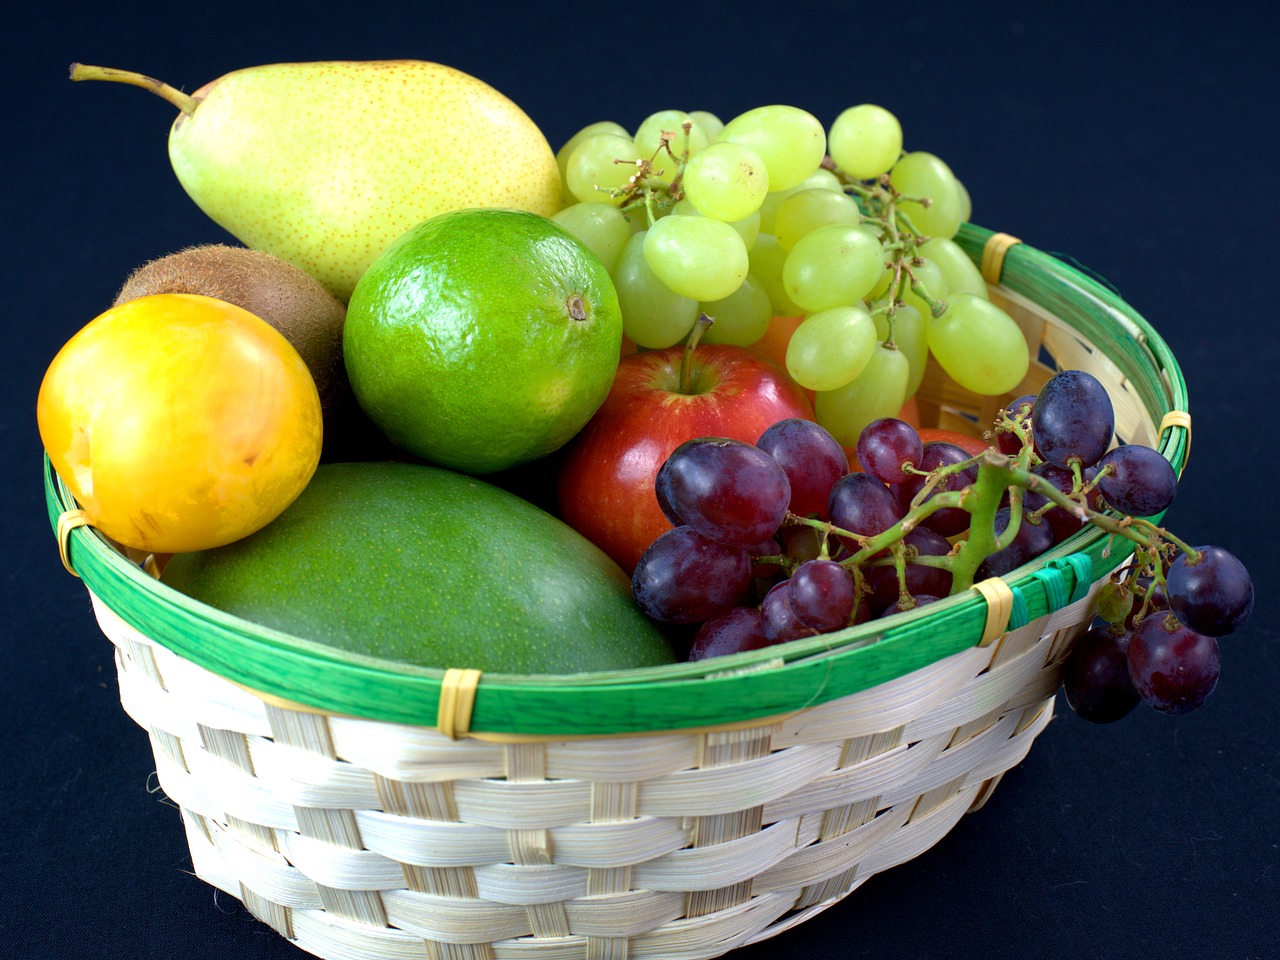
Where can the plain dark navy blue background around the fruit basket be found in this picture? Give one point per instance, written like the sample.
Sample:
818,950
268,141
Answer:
1141,143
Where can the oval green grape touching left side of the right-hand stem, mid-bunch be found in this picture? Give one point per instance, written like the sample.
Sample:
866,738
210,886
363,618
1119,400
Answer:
833,267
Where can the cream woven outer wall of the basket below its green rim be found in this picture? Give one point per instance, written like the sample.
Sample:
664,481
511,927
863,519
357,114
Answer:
364,839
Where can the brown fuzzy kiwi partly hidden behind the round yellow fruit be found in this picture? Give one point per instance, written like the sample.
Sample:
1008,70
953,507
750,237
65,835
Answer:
292,301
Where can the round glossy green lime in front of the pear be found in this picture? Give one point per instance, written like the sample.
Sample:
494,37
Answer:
483,339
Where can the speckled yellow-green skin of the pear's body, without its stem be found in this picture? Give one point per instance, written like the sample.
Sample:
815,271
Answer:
324,164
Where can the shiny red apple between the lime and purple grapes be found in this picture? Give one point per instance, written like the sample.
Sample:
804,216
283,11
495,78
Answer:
606,483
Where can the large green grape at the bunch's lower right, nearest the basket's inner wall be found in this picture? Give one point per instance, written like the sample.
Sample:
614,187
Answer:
980,346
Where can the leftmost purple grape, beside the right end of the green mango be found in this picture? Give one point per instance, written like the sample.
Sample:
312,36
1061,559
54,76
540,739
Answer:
685,578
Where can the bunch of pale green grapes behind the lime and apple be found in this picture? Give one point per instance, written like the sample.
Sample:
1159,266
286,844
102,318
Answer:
771,216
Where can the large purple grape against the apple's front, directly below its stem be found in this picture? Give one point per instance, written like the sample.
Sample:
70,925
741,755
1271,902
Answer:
729,491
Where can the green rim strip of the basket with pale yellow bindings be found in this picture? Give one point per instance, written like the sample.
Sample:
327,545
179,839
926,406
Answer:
728,692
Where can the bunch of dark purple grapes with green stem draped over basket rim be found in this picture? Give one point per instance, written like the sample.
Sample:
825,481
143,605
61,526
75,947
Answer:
780,540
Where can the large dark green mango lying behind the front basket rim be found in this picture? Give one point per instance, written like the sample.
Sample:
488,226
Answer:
423,565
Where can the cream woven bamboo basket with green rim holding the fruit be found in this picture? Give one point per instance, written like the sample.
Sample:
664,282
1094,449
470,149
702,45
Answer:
378,811
